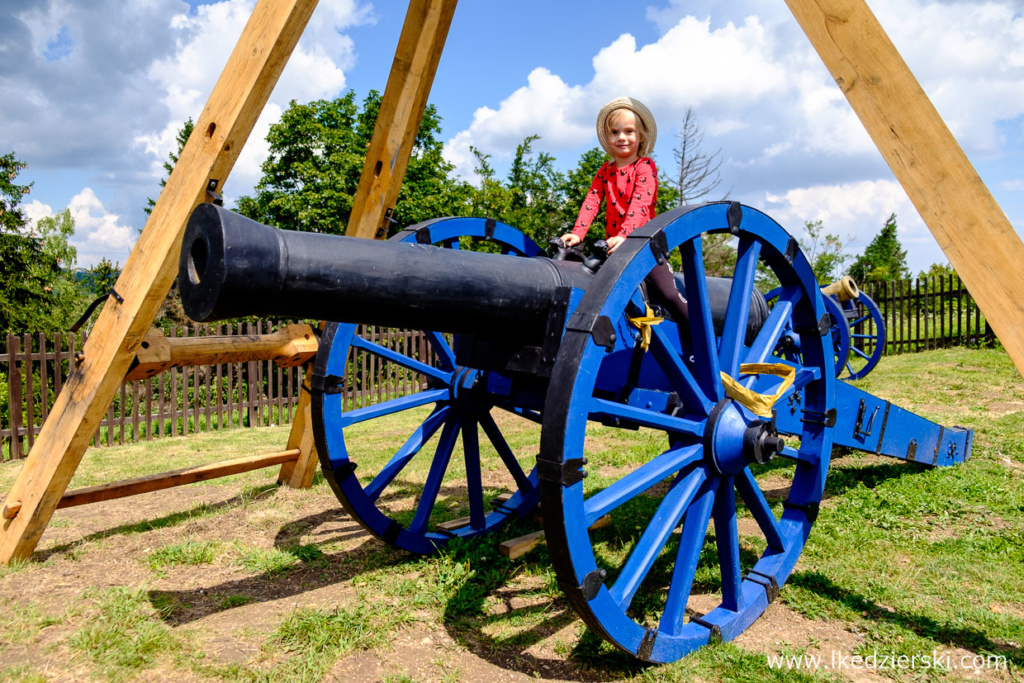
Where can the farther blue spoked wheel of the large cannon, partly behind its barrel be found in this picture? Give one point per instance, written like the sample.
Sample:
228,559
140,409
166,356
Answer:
411,511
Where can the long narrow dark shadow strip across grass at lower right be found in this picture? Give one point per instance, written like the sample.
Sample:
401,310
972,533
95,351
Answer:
926,627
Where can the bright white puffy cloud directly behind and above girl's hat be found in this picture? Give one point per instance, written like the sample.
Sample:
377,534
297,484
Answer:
740,73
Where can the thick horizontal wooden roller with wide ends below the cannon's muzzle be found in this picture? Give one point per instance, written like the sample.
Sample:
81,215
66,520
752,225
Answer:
291,347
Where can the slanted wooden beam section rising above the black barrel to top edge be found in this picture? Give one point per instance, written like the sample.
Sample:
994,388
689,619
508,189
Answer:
416,59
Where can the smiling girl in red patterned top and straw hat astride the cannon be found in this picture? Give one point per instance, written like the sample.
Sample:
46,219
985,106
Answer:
628,185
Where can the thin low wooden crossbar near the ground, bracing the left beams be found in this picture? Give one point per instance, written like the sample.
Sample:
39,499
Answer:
152,483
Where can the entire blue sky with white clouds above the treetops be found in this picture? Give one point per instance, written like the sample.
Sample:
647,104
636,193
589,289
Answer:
93,95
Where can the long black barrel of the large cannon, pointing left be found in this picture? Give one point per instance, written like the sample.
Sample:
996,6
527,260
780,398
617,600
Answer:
233,267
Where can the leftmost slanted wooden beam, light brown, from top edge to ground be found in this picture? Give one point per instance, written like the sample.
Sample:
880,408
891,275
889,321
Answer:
222,131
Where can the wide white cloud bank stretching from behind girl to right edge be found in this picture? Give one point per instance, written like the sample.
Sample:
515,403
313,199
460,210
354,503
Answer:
765,99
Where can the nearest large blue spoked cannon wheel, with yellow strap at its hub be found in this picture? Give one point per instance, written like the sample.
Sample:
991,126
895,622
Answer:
641,594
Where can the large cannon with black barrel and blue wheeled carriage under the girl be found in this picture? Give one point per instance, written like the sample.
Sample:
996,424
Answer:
583,353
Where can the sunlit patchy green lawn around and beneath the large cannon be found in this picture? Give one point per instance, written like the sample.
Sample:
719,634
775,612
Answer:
904,560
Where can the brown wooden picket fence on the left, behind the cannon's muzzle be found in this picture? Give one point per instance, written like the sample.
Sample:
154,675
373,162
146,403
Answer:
184,401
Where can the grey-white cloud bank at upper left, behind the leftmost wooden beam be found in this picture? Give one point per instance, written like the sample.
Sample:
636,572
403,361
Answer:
94,96
